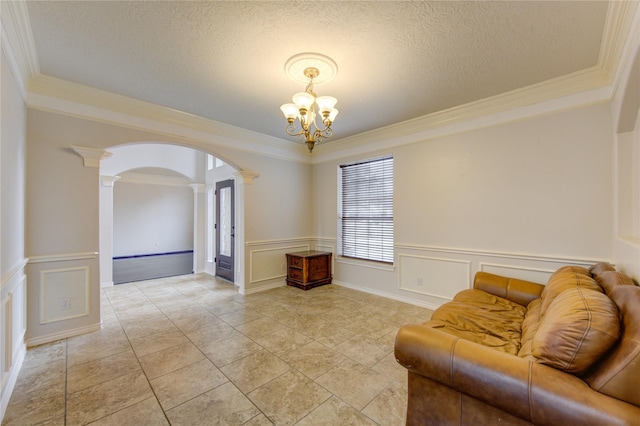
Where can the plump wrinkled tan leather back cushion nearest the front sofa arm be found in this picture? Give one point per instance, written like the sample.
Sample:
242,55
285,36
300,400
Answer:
580,325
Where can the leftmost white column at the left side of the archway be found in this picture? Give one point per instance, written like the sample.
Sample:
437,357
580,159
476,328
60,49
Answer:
106,229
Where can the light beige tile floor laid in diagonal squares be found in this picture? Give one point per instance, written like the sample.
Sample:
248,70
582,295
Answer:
190,350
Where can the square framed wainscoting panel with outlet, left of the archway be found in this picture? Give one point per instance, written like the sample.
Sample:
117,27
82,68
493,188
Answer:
64,294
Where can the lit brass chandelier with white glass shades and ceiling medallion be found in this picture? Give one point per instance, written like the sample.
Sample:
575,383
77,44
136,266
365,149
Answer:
307,107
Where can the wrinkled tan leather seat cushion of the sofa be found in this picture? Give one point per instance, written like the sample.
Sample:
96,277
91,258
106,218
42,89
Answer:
483,318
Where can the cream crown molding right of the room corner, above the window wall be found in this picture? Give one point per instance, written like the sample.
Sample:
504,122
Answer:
587,87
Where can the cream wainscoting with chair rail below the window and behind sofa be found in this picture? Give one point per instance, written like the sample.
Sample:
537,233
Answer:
430,276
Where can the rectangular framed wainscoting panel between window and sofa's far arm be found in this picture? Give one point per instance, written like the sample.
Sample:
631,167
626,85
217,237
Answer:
437,277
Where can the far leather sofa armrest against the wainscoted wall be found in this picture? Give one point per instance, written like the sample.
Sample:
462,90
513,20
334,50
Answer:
518,291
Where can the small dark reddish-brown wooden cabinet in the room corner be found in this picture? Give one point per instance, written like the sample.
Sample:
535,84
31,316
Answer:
308,269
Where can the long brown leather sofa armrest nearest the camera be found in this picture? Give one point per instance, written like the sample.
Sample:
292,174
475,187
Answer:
524,388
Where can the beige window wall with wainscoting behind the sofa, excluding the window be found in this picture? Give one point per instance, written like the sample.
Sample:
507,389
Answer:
522,197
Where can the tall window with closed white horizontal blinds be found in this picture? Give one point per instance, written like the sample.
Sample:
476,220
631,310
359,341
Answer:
366,207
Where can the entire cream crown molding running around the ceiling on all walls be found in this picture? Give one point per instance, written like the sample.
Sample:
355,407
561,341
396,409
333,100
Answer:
594,85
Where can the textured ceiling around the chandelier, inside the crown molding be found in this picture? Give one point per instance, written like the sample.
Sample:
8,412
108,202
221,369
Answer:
396,60
